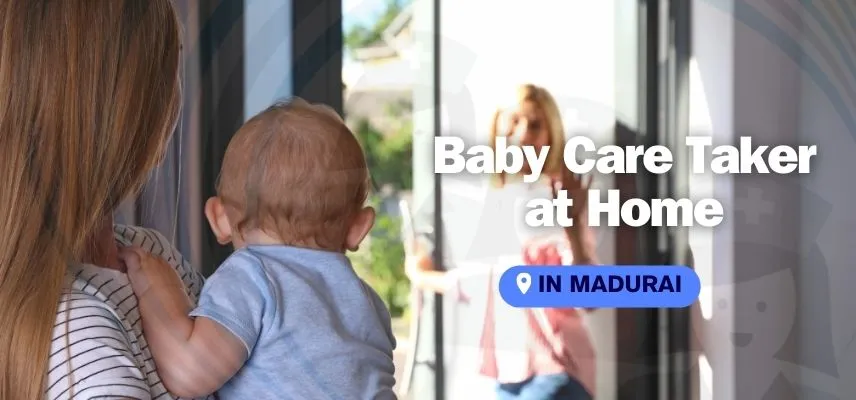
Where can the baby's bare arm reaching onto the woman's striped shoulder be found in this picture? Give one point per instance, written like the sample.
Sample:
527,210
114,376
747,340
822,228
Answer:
194,356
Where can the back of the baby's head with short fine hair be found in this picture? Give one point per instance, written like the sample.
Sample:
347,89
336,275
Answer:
293,174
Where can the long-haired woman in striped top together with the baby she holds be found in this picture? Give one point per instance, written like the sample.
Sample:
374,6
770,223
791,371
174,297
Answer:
90,96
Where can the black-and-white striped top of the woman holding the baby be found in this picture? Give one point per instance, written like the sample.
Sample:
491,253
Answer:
98,349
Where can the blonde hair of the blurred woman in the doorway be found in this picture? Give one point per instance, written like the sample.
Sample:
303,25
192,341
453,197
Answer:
547,104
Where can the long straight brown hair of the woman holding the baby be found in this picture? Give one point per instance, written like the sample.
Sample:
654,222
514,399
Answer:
89,95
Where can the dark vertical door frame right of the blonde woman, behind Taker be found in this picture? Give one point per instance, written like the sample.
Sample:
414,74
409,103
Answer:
653,354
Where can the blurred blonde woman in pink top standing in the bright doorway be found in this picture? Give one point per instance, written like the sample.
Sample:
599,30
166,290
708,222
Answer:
538,354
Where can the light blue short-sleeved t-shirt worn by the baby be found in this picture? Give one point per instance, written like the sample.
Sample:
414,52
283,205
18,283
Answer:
313,329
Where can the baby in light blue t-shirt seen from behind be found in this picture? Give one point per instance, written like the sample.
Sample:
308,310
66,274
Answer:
285,316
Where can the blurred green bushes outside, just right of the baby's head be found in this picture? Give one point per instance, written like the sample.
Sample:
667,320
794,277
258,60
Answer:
390,159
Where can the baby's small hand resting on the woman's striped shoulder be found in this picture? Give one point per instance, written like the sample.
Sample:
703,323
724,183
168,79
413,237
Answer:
148,272
